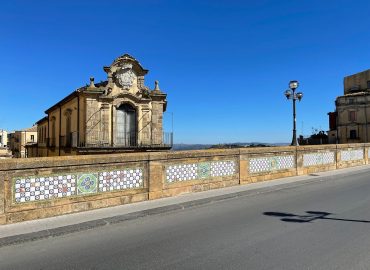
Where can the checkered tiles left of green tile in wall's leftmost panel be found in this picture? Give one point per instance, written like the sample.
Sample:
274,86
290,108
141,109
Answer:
32,189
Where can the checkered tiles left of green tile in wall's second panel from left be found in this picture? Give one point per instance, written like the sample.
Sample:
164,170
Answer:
182,172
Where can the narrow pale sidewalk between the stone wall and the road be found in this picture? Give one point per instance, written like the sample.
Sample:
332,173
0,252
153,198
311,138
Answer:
54,226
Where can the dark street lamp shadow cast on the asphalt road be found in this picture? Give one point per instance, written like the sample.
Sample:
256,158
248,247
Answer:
308,217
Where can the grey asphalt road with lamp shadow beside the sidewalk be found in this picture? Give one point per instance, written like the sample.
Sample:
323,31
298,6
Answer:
320,225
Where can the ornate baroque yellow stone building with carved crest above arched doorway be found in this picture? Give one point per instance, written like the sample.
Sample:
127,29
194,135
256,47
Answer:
120,114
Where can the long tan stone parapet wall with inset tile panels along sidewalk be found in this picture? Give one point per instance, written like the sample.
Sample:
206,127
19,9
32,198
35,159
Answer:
43,187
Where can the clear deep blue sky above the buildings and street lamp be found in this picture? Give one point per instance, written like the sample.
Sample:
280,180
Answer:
223,64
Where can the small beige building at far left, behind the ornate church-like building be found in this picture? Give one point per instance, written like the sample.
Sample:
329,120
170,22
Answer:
20,141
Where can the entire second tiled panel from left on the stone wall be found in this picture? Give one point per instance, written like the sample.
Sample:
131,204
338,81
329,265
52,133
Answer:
200,170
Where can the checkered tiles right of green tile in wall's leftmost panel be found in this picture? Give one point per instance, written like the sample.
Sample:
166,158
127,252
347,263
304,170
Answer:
121,179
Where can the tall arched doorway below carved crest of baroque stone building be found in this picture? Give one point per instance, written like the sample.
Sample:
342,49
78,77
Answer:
126,130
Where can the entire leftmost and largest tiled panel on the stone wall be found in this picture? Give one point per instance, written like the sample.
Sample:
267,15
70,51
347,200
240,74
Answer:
40,188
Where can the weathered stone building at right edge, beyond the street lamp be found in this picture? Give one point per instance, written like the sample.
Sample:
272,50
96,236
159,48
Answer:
350,121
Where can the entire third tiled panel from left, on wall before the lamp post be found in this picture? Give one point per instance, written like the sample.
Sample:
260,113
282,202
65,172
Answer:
267,164
